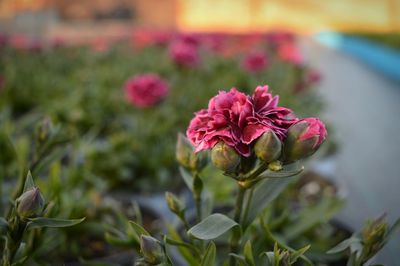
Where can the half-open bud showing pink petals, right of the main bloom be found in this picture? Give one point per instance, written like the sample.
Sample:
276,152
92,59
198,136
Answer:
303,139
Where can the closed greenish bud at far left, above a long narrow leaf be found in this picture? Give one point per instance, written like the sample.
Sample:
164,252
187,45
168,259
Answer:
30,203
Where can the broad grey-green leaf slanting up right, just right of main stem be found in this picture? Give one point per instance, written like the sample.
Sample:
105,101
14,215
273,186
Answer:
266,191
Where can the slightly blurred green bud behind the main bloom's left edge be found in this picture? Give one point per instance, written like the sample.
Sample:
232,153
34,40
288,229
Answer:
186,156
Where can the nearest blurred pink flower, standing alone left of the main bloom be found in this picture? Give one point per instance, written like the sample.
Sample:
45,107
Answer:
146,90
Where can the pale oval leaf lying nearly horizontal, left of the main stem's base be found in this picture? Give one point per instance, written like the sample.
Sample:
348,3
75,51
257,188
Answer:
212,227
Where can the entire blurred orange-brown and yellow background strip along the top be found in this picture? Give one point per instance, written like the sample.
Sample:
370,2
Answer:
206,15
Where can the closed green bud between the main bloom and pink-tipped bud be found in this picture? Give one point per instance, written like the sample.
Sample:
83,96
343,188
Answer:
268,147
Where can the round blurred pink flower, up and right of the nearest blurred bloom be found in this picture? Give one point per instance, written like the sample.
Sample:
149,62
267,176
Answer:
184,54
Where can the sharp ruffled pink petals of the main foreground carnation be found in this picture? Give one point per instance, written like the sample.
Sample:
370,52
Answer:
238,119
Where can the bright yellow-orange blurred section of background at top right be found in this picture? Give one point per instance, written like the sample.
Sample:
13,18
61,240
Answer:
299,15
